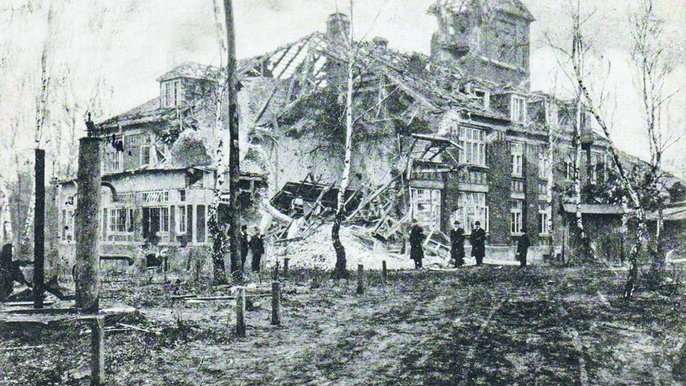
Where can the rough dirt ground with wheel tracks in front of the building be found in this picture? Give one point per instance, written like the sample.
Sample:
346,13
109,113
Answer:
490,325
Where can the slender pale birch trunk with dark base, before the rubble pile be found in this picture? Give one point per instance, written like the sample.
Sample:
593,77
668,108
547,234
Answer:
341,270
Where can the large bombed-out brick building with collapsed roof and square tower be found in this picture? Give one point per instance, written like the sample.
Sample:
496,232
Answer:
457,135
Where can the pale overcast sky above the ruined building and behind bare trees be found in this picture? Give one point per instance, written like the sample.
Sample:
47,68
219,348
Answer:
117,49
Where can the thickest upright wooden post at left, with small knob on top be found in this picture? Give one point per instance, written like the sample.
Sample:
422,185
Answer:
86,224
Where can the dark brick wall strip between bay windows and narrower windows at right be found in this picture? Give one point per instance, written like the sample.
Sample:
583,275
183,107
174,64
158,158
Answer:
498,198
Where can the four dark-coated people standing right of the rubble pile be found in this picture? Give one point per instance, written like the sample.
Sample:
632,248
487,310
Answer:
457,237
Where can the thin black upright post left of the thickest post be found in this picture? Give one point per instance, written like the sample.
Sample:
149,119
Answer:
39,231
